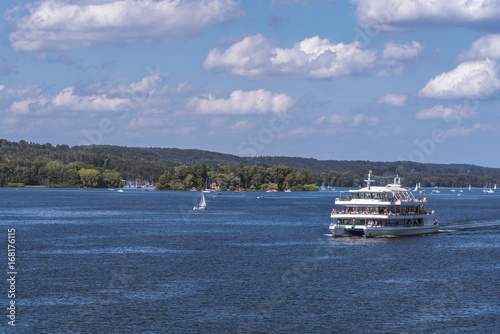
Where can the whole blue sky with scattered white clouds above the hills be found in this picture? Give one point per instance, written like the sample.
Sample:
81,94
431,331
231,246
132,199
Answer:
384,80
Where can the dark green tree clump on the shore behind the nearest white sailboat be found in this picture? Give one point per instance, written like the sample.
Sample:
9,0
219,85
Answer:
233,178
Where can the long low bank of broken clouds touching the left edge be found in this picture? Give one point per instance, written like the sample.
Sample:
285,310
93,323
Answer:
146,96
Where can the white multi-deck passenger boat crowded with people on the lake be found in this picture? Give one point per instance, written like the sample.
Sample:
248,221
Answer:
377,211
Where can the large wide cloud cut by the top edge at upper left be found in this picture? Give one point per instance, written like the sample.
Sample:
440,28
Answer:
57,25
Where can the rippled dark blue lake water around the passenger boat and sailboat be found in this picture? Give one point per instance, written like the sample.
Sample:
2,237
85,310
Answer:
98,261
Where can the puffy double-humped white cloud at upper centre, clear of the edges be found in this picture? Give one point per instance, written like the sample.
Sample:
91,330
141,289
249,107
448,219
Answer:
311,58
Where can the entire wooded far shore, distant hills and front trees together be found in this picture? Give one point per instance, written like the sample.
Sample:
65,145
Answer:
33,164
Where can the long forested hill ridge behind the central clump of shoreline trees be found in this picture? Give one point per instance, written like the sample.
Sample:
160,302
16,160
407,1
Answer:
61,165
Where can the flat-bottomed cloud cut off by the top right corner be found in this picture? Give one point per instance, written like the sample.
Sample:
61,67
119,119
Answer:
396,15
